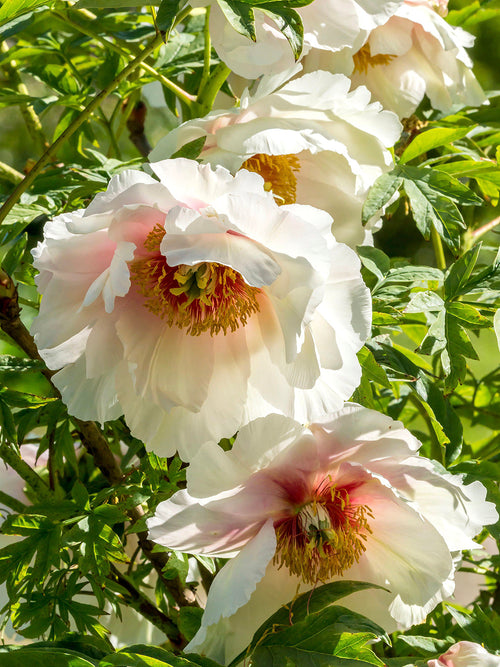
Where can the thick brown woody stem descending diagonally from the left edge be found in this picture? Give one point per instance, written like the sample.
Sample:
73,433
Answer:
90,435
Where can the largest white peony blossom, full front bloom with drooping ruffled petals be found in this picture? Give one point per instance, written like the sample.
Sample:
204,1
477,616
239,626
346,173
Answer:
195,303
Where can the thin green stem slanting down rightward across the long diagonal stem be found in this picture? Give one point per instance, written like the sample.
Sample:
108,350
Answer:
123,49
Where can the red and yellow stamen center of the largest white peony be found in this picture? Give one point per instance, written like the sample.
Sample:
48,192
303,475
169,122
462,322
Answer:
203,297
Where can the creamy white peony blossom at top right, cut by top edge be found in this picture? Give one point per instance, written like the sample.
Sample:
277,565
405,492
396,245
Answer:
415,53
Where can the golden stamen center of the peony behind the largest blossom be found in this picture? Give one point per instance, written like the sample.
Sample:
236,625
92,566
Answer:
278,172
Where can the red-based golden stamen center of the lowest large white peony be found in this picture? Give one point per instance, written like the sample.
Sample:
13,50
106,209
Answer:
324,537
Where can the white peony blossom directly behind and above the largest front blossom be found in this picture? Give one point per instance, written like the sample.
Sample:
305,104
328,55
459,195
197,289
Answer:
312,141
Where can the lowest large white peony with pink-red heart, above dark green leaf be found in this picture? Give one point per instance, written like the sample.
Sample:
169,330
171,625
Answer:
294,507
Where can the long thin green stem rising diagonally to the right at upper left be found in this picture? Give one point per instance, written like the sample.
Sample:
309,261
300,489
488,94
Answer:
71,129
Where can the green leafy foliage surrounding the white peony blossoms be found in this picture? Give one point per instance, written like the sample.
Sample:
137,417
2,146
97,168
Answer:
76,542
